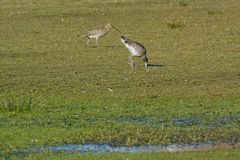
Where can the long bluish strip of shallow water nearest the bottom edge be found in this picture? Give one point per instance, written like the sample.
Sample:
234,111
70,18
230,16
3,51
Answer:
106,148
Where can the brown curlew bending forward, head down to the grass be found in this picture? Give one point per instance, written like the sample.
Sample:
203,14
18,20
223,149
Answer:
136,49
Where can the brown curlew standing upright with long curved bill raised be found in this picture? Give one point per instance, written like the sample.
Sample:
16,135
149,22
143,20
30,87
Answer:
98,32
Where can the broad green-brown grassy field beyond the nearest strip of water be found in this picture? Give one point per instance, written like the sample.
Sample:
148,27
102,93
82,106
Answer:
56,90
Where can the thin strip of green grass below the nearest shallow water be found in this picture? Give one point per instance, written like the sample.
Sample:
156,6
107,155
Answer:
220,154
